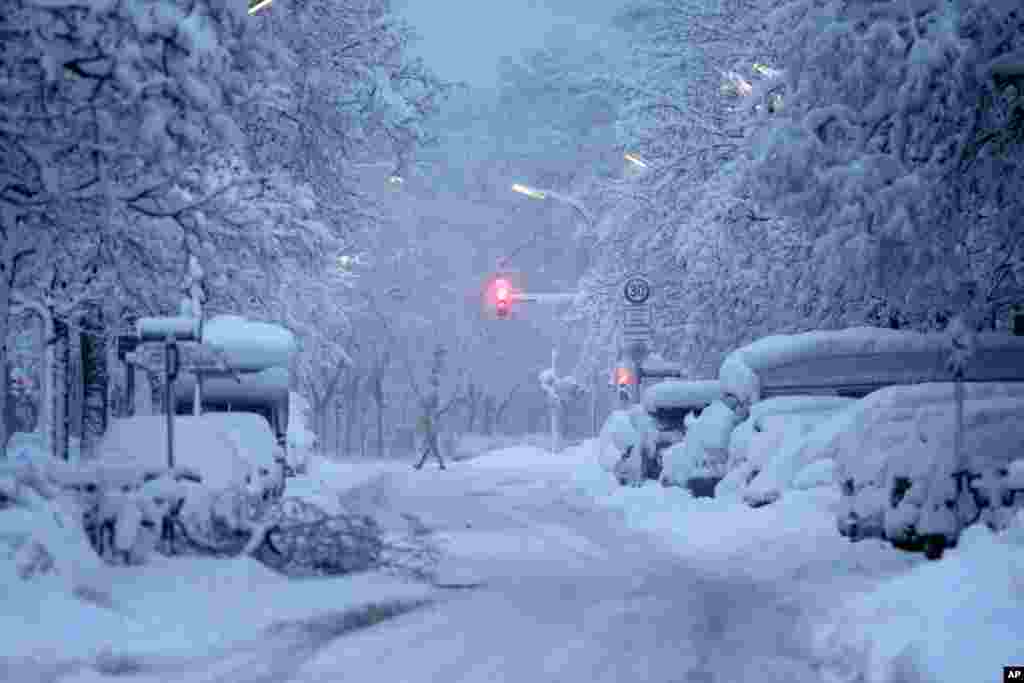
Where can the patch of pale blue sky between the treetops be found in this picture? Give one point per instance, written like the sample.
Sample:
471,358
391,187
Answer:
463,40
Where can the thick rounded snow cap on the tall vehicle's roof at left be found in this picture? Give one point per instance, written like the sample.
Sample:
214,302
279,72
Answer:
249,346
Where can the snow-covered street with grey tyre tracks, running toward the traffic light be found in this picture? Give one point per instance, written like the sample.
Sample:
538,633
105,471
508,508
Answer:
567,593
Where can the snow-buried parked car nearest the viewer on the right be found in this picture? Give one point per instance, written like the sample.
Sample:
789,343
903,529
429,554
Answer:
895,464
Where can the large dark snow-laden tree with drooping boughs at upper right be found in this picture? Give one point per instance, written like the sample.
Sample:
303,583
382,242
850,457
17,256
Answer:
899,152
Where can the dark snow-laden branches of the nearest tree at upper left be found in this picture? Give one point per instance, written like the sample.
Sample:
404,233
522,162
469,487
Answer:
105,106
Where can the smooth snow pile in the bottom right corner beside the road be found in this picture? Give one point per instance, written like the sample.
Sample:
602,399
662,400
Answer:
902,632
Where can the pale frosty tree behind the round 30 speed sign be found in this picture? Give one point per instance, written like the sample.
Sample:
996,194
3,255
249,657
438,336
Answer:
684,219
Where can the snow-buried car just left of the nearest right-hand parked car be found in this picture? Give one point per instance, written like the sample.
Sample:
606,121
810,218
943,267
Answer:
766,453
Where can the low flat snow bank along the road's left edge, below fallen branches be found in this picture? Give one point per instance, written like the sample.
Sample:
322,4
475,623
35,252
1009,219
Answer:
182,607
